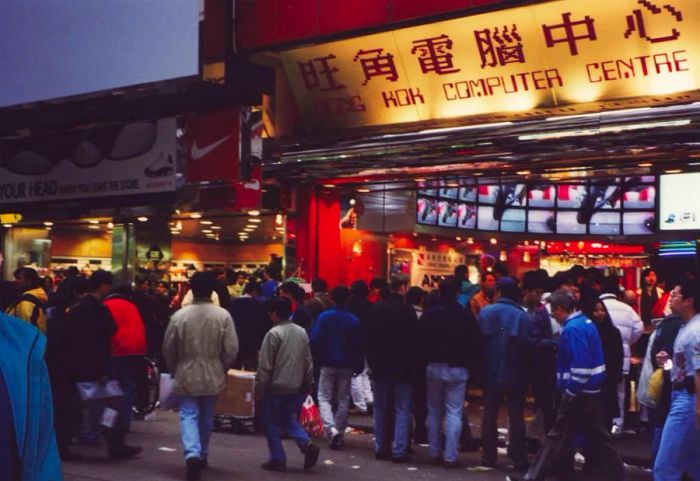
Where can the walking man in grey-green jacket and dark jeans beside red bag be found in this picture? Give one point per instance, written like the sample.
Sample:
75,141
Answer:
284,379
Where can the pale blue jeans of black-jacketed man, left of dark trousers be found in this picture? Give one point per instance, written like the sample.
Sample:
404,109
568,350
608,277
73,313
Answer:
446,390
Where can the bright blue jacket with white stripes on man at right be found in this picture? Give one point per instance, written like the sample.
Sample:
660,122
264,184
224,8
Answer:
580,361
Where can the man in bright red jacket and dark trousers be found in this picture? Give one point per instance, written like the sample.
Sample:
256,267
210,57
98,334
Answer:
128,348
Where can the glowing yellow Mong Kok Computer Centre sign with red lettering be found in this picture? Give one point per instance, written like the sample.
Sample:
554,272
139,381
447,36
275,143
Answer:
551,56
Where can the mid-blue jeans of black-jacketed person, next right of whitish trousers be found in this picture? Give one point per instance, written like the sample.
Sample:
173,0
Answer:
383,391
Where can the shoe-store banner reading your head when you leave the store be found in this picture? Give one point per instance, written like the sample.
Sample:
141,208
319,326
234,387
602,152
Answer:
104,161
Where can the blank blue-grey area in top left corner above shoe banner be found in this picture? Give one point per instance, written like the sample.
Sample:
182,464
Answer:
56,48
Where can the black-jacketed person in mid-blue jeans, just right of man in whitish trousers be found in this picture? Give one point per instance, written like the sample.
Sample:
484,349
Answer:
390,336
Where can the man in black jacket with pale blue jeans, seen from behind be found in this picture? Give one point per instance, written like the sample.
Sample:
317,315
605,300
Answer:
449,345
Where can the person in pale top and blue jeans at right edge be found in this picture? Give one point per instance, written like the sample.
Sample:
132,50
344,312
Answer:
679,451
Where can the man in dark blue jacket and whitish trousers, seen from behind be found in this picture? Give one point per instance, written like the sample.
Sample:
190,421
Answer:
336,343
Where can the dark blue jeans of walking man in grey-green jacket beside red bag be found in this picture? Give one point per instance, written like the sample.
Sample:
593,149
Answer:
280,414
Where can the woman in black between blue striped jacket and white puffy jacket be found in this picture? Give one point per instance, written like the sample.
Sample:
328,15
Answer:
611,339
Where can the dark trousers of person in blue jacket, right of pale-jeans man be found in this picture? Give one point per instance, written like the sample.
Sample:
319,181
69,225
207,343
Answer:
493,397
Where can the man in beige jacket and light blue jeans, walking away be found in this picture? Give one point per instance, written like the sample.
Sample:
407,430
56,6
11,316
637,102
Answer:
200,345
